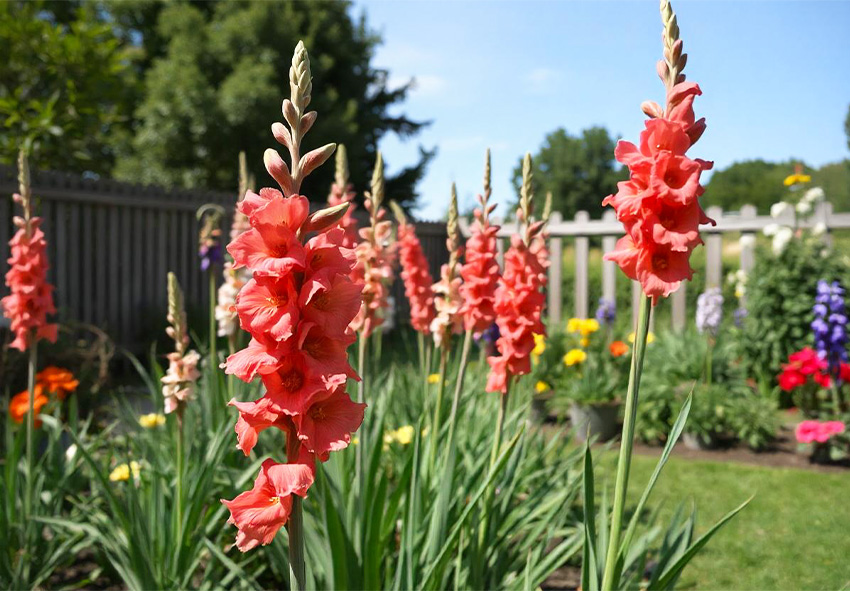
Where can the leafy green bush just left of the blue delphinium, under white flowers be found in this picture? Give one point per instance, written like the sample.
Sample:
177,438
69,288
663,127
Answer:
780,295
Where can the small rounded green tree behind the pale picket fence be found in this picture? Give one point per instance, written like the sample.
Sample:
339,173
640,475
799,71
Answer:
579,171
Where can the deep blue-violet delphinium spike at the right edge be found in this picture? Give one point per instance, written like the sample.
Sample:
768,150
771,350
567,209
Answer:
830,325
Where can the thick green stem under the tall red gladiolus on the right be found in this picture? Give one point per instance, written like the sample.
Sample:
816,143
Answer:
610,577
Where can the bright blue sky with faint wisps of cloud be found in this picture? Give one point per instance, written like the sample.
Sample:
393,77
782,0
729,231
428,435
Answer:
775,77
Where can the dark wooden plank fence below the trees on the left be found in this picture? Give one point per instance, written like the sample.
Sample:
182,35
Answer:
111,245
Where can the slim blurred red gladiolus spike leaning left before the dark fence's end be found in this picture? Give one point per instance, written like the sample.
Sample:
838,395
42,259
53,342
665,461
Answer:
417,278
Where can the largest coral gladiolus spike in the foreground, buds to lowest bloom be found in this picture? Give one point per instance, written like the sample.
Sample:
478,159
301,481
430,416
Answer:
297,308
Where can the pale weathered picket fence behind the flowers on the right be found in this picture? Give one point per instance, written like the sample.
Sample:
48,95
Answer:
582,228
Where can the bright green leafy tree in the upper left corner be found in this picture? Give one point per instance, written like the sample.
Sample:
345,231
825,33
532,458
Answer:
65,85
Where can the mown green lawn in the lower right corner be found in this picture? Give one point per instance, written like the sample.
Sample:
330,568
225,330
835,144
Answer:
793,535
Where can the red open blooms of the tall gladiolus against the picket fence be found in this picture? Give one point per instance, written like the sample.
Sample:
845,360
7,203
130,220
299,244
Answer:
658,205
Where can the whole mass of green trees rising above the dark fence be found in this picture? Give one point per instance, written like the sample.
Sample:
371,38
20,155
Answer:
170,92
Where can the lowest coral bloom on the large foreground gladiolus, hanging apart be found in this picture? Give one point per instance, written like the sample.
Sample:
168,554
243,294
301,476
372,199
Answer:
260,512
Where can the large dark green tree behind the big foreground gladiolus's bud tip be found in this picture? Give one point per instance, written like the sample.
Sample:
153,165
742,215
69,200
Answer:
218,72
